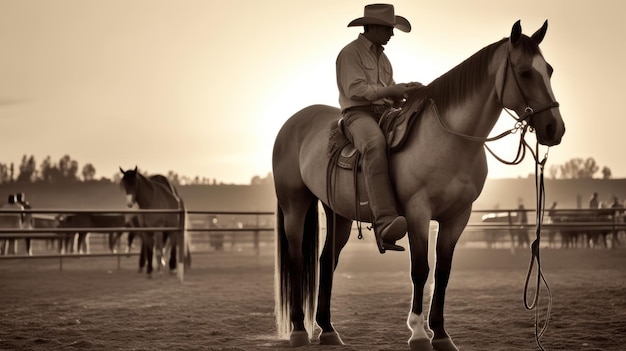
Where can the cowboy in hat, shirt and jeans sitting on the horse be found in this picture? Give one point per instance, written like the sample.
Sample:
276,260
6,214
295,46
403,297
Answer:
366,90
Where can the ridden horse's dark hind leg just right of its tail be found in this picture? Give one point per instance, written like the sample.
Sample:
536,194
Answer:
338,232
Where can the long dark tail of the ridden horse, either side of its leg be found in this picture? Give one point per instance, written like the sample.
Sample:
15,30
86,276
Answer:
282,277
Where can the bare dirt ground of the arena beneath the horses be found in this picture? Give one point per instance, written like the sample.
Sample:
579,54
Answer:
226,302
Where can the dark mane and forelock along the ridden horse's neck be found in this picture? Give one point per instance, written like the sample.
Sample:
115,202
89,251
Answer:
453,86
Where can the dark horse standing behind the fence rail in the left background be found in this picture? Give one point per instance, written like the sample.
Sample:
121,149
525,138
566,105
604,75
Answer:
156,192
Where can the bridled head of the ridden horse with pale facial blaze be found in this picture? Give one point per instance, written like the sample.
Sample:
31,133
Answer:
525,86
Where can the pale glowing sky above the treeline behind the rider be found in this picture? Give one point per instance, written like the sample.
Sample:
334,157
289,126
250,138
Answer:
202,87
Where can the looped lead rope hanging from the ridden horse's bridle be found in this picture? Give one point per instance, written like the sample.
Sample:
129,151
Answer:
535,254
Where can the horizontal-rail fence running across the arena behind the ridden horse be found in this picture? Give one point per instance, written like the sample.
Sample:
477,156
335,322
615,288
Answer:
484,225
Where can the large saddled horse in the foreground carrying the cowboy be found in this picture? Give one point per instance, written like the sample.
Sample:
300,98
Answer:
438,173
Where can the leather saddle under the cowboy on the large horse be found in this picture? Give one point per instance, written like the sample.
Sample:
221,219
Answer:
395,124
